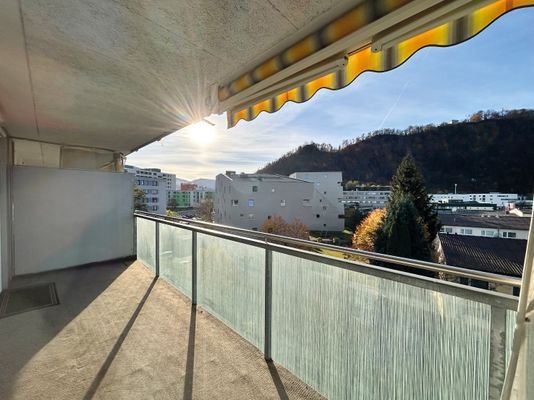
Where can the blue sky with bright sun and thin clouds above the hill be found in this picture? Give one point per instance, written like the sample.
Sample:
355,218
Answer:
494,70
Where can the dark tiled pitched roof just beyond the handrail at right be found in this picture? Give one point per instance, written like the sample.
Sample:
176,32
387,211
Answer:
495,255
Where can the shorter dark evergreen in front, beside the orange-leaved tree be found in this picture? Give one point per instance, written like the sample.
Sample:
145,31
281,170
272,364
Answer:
402,233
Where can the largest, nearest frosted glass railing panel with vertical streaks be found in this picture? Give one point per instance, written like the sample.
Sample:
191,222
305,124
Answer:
355,336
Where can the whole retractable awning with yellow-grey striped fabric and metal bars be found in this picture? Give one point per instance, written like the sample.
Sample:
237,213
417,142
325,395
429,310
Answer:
374,36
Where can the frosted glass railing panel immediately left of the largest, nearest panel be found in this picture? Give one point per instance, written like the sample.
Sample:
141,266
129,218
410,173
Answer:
231,285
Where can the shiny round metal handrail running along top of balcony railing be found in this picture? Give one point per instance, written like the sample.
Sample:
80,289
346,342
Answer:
406,262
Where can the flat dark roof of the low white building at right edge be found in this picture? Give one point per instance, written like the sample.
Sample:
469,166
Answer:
486,221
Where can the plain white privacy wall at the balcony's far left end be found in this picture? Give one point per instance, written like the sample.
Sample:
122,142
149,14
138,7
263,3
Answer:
64,218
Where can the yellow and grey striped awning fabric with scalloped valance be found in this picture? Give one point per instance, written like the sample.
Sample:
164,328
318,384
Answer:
457,29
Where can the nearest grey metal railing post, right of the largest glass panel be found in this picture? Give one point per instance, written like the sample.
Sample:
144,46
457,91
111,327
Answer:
497,367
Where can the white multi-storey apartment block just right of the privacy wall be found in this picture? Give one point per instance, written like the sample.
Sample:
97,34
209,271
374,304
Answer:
155,184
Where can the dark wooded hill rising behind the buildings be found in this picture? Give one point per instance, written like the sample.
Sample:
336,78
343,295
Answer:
490,151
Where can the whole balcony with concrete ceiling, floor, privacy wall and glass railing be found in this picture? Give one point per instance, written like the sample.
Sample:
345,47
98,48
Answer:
132,305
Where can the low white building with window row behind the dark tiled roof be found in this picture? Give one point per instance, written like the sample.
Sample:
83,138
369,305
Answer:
503,226
